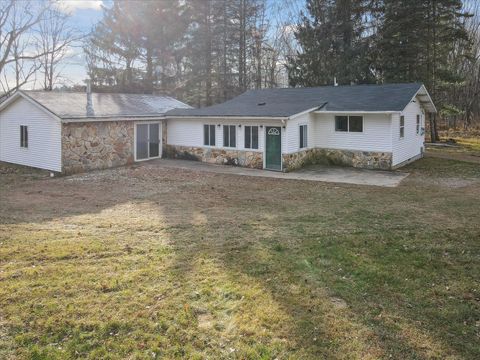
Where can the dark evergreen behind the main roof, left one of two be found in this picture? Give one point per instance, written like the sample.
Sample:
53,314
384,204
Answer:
335,42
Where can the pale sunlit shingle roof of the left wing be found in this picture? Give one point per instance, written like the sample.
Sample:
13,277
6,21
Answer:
72,105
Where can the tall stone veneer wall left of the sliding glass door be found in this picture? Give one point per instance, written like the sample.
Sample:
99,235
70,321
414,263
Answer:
97,145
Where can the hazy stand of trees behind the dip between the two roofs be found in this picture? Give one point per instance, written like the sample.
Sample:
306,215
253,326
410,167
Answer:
202,51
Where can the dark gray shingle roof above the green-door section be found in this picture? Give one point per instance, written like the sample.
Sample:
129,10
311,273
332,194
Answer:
286,102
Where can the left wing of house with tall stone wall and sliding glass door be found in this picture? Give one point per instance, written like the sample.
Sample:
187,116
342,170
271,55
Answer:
53,131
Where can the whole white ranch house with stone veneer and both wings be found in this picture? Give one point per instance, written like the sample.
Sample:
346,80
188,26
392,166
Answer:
367,126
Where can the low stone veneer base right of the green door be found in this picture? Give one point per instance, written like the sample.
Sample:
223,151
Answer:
358,159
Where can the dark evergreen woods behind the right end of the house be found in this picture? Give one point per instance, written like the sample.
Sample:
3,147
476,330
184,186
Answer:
375,41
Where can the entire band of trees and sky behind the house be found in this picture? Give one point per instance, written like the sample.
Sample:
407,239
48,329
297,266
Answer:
207,51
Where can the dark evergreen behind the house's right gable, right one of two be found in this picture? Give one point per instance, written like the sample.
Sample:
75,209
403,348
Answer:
416,40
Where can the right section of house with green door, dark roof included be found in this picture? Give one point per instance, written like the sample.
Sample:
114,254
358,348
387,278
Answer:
365,126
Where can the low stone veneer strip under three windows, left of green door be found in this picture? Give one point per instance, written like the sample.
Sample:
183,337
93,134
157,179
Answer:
246,158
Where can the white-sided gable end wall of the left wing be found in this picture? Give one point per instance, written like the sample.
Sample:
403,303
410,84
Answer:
44,149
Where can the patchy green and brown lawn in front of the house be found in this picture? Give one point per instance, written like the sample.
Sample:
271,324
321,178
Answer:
146,263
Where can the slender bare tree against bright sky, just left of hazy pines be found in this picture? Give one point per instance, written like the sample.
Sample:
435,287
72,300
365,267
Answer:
55,40
